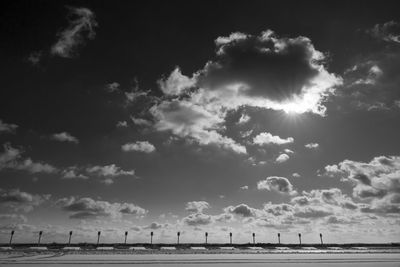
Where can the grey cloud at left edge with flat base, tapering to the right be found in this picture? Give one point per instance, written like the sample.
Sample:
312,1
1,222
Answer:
11,158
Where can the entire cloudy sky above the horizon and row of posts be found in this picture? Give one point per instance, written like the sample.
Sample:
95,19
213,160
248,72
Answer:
200,116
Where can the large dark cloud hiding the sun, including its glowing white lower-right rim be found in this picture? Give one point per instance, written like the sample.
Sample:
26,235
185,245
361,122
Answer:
278,73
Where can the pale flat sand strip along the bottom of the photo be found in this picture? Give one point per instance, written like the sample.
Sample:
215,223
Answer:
202,259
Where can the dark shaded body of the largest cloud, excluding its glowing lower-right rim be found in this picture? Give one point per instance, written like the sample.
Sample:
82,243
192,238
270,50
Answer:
274,68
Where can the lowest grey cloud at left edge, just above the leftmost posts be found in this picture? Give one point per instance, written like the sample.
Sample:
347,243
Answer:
20,200
